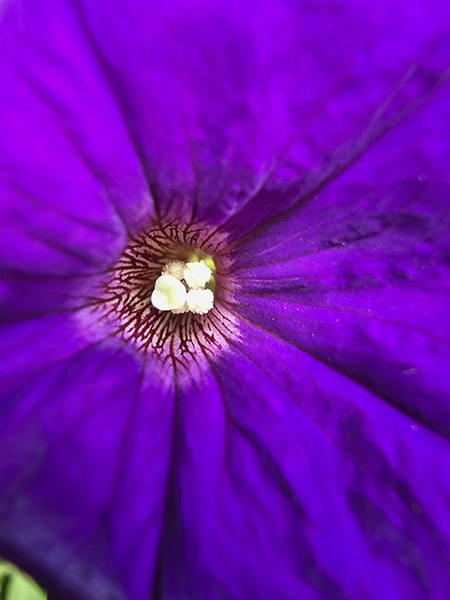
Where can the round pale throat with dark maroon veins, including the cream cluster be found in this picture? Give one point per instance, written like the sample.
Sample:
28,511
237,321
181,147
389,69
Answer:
168,295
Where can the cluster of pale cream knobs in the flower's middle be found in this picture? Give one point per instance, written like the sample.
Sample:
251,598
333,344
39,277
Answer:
184,287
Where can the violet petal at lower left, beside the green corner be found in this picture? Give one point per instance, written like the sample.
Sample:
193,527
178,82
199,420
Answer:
85,445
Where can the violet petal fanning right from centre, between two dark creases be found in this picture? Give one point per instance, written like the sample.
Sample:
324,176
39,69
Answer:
359,277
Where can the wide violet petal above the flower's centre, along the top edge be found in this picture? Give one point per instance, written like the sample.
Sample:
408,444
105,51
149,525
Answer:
221,103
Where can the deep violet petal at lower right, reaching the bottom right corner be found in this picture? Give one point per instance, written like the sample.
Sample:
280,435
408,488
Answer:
290,481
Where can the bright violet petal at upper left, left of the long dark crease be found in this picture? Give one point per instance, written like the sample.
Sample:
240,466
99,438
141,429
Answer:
71,181
